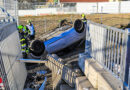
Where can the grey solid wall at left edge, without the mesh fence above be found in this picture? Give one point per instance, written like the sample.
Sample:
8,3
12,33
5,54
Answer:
10,53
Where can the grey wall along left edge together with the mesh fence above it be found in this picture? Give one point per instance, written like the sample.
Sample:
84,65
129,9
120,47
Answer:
12,72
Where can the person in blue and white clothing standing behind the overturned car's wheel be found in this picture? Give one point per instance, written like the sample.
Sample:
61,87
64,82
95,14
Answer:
31,30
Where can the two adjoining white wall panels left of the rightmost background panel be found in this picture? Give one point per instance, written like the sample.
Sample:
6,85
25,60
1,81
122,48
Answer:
101,7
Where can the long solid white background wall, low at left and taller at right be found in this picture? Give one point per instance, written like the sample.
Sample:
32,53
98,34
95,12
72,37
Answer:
88,8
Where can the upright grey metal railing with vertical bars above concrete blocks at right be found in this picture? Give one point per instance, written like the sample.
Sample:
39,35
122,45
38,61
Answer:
110,47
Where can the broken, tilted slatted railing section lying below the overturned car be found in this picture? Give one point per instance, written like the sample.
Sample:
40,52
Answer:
55,64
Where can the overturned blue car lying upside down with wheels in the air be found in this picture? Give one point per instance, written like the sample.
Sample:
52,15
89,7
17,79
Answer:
58,43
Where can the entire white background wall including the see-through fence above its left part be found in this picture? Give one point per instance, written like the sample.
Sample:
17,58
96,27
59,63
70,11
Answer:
35,9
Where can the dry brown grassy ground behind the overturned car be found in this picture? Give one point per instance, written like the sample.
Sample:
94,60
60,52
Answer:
43,24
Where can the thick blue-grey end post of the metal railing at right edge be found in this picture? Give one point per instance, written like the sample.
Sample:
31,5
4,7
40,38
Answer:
127,63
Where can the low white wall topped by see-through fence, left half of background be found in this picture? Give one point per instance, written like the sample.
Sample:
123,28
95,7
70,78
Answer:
36,9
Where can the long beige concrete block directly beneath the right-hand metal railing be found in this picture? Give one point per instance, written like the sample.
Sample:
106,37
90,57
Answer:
99,77
